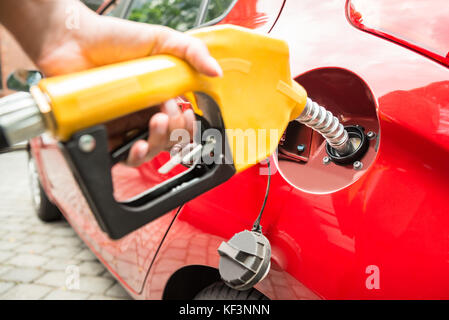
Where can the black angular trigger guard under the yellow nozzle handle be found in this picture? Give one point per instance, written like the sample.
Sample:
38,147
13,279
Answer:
92,170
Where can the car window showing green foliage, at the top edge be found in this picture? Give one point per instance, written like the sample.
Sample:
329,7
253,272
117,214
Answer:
181,15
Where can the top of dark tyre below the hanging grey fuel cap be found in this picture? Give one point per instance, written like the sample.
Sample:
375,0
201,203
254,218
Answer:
220,291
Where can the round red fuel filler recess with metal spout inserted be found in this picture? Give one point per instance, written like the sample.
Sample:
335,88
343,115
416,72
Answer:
340,101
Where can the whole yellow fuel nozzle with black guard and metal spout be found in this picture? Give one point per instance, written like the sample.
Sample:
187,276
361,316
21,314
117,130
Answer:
250,107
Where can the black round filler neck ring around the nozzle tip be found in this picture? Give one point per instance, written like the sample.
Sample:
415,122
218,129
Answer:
357,146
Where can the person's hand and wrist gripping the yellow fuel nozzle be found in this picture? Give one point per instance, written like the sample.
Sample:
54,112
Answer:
99,41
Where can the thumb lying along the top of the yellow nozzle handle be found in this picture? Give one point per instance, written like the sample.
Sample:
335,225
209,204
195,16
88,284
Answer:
188,48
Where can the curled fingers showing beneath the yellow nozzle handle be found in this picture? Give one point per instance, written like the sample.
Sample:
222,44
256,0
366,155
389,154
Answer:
160,127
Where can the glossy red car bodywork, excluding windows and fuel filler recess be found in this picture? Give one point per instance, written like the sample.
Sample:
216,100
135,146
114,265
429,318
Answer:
394,216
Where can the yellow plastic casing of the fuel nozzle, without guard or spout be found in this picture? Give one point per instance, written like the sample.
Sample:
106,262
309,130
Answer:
256,92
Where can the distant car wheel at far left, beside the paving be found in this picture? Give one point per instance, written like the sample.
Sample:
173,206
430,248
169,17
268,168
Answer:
45,210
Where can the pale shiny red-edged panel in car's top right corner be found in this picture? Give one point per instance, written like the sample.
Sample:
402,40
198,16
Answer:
405,24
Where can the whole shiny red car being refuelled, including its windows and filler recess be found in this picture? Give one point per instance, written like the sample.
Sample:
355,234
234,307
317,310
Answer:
377,228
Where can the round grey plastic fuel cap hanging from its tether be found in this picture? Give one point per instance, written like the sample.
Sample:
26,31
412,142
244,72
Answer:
244,259
